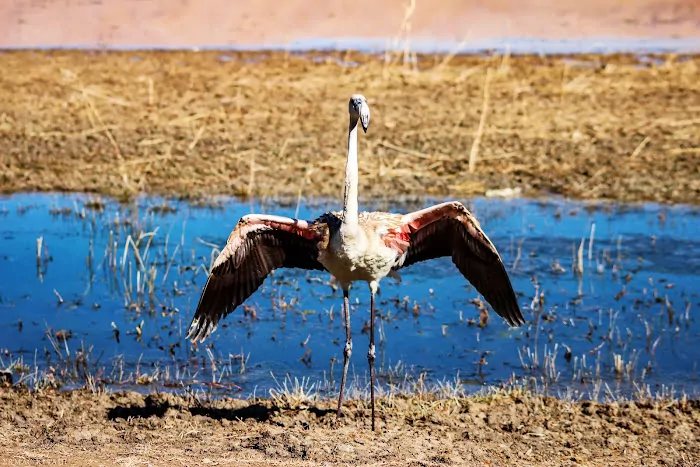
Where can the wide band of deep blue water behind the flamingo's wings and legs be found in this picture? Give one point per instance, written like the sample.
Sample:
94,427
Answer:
637,298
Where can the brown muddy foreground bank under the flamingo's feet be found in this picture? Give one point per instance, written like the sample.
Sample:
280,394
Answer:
84,428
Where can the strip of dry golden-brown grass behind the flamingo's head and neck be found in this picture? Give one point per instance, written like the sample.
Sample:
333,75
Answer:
198,124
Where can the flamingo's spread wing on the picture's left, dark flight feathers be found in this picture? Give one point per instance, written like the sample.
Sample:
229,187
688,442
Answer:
258,245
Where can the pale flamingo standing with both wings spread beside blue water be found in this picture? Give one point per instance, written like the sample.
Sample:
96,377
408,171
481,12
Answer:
353,247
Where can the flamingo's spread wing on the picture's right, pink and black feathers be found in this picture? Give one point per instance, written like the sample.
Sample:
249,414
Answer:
449,229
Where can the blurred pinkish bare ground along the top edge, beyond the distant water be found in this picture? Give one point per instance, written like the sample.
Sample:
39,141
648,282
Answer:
32,23
